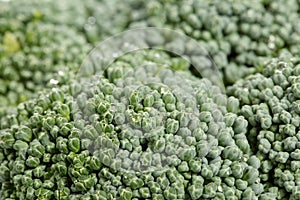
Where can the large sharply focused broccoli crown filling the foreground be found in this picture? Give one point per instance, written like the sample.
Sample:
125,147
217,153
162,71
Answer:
138,131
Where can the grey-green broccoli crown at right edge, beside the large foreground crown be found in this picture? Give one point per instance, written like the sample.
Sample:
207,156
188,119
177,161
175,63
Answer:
270,102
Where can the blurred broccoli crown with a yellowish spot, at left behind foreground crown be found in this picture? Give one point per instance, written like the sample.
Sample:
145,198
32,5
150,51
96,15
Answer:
35,56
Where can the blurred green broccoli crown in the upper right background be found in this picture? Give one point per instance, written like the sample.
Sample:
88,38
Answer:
238,34
